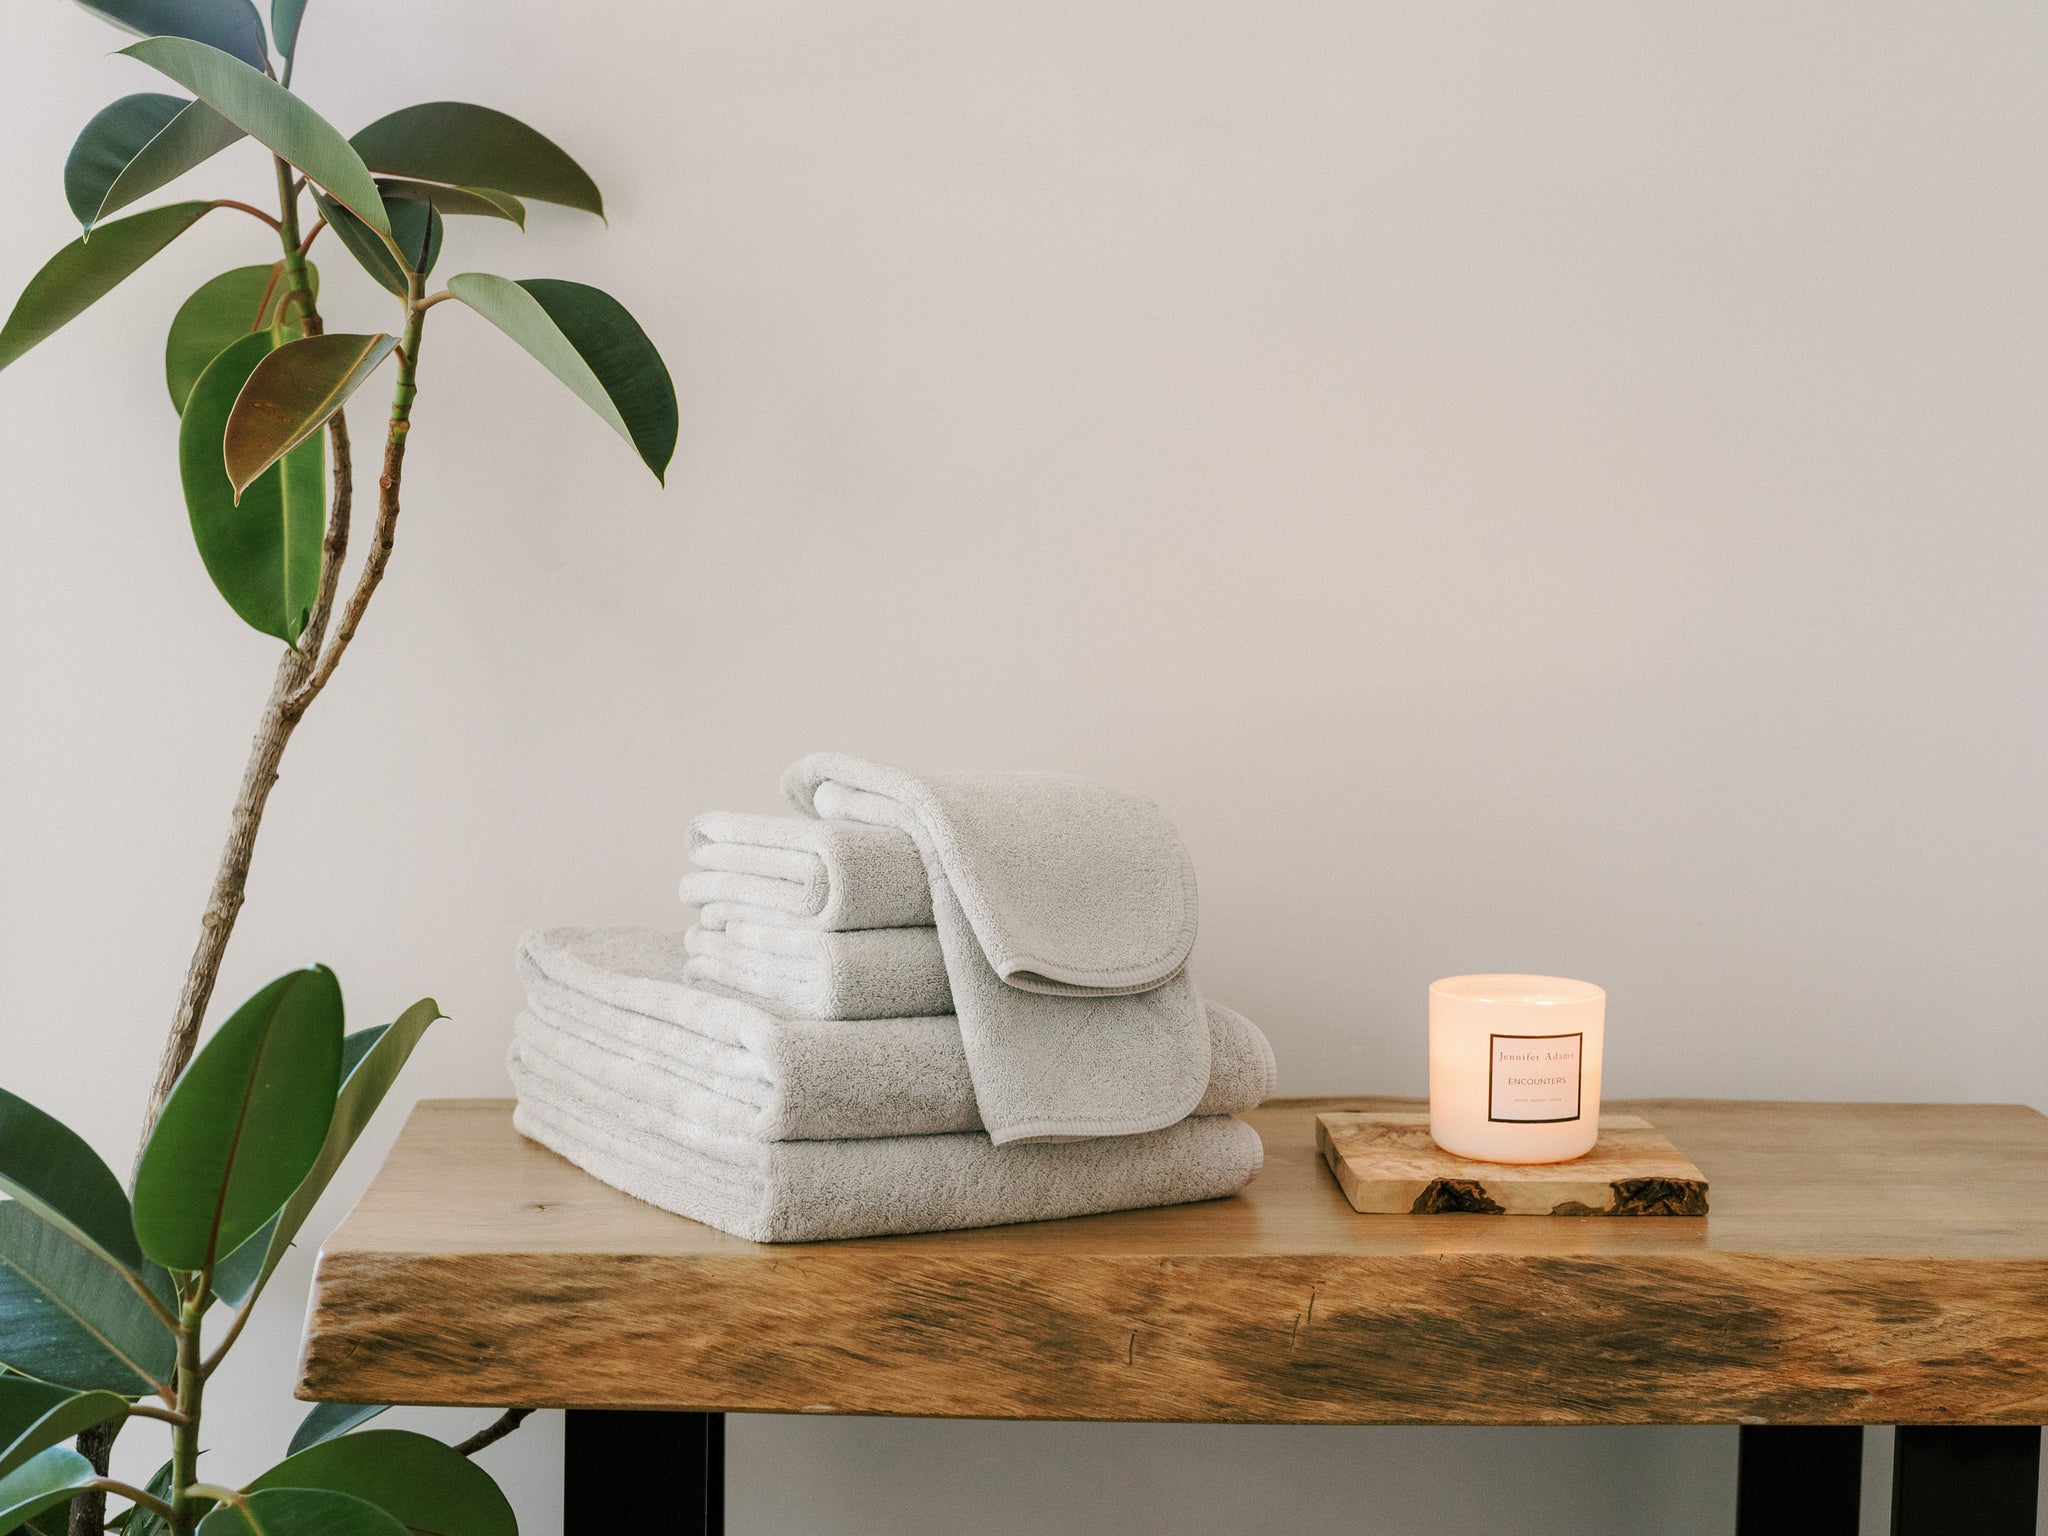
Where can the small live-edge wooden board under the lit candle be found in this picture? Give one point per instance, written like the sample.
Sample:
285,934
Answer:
1390,1168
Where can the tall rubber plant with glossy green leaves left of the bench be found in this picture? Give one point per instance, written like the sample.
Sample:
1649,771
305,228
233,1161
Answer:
120,1304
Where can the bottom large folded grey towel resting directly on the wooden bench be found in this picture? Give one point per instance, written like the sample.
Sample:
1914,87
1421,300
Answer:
808,1191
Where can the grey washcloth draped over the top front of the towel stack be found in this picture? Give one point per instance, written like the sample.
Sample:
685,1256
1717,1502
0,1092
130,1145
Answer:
1066,912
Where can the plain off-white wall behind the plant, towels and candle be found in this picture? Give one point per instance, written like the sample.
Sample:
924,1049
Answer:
1529,486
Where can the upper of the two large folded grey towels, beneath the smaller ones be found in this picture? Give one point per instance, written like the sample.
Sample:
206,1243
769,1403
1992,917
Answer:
607,1005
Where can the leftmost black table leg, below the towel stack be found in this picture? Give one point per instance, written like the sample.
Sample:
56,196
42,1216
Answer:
656,1474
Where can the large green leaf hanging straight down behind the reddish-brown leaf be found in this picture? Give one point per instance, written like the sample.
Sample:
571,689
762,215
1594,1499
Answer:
263,550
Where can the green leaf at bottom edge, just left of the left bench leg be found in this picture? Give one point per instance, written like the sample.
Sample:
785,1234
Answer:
415,1478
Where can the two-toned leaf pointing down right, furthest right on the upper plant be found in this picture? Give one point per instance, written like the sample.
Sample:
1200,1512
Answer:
589,341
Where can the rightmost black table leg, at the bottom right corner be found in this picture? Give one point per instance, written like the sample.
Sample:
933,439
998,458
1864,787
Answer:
1965,1482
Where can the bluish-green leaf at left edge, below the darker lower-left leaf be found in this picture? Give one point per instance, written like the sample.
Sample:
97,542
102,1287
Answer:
69,1320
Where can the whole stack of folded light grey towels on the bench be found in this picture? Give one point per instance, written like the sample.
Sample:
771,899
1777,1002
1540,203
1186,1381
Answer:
923,1005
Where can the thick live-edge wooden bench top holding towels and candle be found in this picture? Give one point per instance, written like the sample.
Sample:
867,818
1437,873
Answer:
1865,1265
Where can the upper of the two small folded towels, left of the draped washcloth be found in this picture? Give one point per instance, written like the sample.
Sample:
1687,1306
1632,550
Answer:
828,876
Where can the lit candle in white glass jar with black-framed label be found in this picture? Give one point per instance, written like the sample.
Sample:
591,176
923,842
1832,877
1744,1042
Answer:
1514,1068
